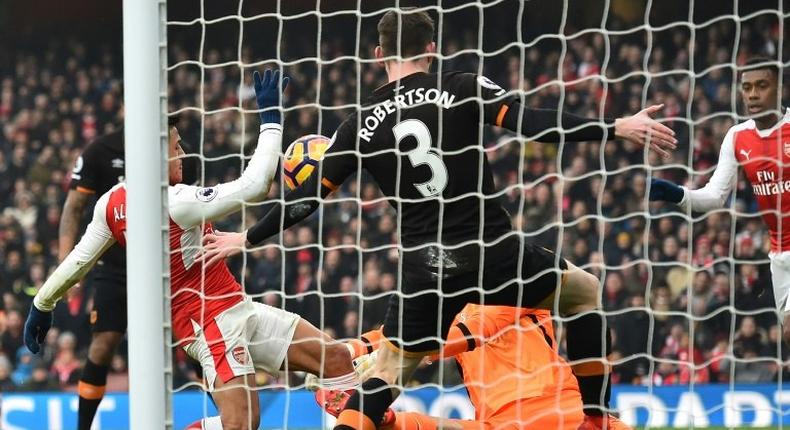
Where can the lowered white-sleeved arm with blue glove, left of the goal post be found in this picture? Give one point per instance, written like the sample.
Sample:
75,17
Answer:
96,240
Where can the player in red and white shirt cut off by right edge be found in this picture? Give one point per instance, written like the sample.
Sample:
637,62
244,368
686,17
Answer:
761,146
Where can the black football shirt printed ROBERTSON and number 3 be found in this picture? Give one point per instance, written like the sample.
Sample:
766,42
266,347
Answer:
420,139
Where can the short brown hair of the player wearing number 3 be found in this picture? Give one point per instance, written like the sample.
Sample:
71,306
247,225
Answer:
414,26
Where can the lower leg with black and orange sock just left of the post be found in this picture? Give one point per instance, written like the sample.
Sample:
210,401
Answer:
94,375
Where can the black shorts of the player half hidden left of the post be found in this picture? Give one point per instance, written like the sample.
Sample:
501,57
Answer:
109,300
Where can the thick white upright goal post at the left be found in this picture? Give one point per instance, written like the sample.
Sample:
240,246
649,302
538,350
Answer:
145,98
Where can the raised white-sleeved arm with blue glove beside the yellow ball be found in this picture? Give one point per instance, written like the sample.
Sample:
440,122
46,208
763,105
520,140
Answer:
190,205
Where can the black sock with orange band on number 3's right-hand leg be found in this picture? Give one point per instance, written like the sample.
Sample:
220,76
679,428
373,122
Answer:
584,342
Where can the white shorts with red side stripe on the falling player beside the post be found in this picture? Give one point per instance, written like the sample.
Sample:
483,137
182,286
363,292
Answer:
246,337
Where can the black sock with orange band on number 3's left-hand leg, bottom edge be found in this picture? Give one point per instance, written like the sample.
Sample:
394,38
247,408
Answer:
372,400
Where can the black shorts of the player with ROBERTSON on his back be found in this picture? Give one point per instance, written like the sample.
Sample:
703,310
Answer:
514,274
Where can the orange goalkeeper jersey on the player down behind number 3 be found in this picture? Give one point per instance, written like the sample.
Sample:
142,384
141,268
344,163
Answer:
514,362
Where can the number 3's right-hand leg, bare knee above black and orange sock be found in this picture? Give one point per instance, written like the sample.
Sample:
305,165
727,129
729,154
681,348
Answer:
589,340
